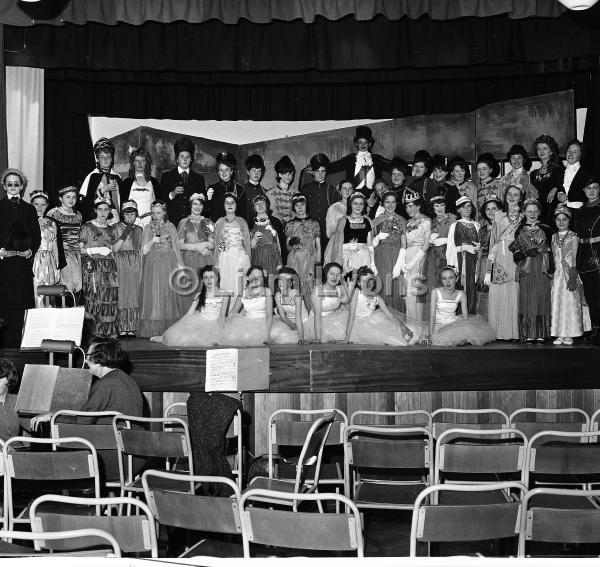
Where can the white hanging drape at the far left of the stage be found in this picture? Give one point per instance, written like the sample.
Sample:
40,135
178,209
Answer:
25,123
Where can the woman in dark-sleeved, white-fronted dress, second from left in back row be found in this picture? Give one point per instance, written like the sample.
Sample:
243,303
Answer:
140,186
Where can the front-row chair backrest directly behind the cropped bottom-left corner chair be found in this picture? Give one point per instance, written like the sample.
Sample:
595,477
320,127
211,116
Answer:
135,533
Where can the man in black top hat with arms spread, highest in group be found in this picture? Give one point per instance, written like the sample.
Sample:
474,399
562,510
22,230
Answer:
363,167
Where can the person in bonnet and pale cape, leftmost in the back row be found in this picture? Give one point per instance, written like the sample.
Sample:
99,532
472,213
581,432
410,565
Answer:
101,184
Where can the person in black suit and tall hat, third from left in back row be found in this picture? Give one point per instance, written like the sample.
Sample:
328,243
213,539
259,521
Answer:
179,184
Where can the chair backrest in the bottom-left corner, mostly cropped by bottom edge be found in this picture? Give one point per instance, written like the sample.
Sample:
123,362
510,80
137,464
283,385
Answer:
92,535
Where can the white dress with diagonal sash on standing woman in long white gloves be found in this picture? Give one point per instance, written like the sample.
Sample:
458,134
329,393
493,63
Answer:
418,232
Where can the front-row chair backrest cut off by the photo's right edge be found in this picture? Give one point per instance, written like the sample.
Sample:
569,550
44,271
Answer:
561,524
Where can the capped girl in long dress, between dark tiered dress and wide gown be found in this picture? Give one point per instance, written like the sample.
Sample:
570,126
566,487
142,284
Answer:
128,257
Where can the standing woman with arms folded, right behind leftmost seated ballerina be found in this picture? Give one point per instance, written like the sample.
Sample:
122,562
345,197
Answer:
196,240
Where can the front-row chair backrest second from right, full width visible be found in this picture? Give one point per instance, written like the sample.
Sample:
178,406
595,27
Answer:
463,523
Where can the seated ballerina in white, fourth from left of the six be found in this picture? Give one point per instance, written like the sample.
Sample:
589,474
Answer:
328,315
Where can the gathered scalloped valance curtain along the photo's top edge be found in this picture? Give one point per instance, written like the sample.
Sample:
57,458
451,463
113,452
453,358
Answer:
137,12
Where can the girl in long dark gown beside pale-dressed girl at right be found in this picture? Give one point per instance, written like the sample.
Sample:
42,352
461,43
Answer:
531,251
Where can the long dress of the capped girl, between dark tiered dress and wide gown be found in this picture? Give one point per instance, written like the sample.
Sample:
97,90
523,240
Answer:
129,271
